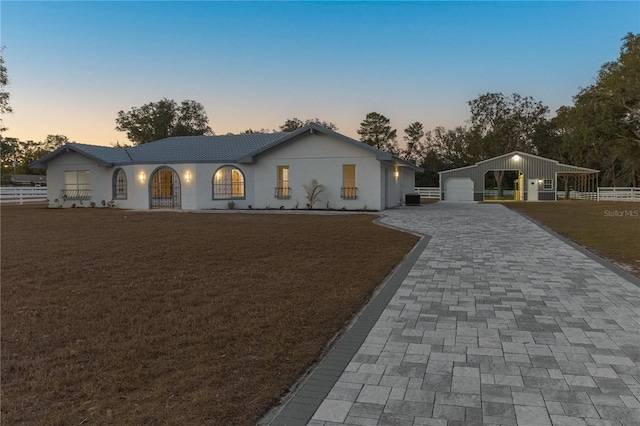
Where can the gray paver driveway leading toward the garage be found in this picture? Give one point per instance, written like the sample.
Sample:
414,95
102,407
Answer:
498,322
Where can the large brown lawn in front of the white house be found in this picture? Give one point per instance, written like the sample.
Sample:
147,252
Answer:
132,318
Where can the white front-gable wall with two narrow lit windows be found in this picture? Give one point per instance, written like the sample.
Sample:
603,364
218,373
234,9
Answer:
319,157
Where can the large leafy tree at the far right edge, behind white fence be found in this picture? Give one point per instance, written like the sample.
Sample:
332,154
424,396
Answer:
602,128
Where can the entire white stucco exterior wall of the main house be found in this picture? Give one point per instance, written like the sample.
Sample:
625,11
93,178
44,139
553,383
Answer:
315,156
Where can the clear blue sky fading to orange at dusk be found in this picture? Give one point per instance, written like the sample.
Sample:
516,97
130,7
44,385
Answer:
73,65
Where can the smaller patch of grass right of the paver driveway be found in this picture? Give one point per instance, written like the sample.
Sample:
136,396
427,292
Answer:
610,229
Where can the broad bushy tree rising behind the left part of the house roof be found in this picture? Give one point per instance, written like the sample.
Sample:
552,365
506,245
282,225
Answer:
163,119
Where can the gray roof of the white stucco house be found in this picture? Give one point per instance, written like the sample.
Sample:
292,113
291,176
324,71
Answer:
204,149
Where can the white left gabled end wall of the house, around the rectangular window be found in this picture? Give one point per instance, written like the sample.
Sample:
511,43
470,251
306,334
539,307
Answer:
100,179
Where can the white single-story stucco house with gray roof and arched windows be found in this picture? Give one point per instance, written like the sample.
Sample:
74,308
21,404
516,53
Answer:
253,171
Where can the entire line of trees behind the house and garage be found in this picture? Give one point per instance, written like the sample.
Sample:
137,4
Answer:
601,130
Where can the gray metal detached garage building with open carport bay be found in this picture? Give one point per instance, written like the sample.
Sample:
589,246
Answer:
537,178
